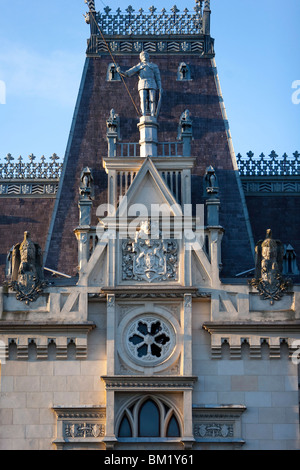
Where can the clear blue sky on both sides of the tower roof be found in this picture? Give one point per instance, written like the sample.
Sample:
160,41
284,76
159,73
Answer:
42,52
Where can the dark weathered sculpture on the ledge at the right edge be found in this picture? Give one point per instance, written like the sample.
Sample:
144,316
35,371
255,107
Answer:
268,269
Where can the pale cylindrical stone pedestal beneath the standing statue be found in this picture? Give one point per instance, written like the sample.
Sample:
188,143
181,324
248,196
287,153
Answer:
148,136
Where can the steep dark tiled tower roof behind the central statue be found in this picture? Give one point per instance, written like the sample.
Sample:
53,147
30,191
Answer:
88,145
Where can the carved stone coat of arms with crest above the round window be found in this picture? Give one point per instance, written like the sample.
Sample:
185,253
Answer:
149,259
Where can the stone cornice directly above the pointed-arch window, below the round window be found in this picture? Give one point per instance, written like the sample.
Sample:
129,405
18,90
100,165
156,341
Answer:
149,383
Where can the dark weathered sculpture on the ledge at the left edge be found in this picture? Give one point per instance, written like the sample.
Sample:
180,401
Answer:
27,270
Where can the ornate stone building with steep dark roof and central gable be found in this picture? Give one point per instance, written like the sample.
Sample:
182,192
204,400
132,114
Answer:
150,284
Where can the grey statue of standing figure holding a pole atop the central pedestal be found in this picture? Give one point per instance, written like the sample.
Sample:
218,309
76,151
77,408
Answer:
149,84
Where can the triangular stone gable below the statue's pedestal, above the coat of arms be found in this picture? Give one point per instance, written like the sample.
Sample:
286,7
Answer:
149,188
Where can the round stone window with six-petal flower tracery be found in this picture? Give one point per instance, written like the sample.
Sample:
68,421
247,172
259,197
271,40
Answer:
150,340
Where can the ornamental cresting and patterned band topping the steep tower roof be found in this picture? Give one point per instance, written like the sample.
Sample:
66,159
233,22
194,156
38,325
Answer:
155,31
